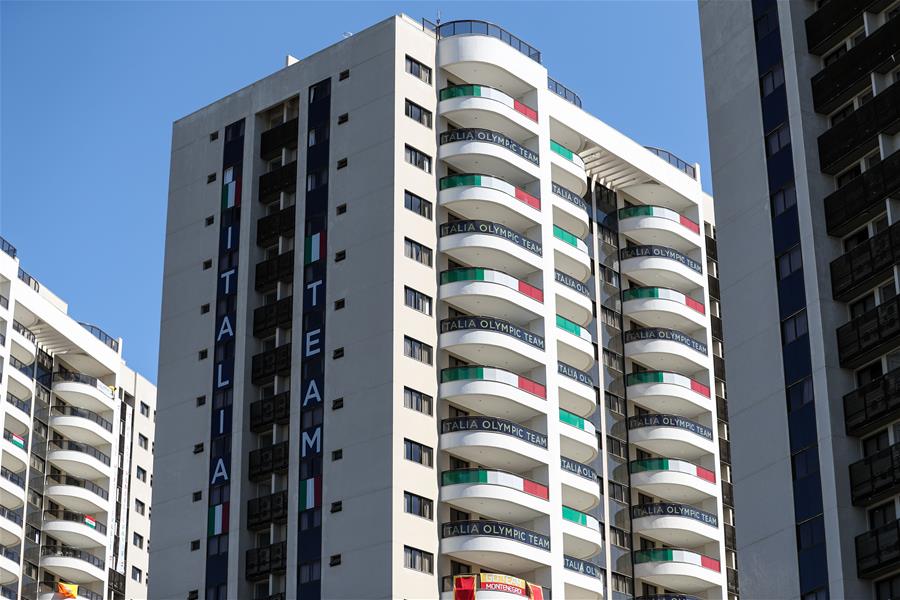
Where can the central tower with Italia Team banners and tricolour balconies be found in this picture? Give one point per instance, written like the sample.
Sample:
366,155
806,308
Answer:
424,317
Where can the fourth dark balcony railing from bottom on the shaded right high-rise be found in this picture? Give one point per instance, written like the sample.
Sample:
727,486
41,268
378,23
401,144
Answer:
869,334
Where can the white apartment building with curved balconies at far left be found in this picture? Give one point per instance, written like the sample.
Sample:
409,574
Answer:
77,451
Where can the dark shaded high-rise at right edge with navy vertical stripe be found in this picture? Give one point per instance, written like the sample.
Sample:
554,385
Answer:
804,114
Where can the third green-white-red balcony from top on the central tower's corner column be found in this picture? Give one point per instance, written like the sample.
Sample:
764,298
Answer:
478,290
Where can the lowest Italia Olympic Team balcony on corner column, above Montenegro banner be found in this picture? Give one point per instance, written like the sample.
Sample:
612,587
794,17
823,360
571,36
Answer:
495,545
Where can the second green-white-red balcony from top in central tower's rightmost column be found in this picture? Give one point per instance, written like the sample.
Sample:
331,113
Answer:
662,307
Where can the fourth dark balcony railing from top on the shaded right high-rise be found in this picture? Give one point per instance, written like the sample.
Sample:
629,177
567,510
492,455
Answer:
863,197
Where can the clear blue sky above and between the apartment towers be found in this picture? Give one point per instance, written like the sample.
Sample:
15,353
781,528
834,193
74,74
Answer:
88,93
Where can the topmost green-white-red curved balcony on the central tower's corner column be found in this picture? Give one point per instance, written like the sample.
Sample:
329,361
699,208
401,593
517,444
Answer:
475,106
